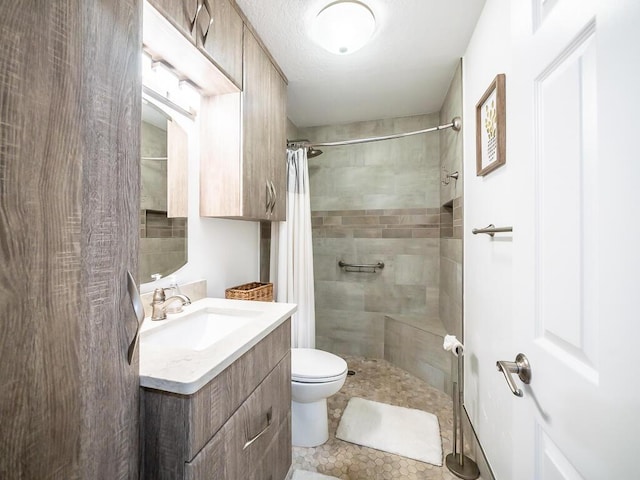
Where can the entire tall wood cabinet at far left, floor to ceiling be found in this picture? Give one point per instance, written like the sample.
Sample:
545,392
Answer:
69,188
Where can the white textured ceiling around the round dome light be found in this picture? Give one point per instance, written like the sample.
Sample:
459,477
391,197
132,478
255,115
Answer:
404,70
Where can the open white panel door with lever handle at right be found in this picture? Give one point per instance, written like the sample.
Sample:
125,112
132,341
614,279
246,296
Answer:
574,149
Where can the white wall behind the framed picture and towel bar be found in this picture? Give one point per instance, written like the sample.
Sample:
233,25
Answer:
487,262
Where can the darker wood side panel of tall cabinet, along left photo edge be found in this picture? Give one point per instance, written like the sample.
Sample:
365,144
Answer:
38,275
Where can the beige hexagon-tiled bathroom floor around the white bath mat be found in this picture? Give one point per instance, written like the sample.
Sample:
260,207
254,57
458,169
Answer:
380,381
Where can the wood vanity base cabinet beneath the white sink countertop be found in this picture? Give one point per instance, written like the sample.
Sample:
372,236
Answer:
238,426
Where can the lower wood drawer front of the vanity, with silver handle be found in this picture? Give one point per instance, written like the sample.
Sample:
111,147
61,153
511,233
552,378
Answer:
242,443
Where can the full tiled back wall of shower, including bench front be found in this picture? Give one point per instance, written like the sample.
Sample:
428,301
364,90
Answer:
379,202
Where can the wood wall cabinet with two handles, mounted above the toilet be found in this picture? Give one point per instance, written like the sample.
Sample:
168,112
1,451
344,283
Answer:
243,164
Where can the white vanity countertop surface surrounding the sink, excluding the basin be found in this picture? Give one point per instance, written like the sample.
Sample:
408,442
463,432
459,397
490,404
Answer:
185,371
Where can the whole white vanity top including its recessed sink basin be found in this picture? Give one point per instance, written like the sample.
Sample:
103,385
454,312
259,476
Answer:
184,352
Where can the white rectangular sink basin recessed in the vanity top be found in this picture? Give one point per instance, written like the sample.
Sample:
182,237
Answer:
200,329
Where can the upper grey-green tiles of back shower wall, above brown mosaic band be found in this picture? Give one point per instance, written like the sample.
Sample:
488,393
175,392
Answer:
395,173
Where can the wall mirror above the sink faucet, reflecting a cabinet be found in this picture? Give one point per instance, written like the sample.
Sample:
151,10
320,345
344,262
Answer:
163,193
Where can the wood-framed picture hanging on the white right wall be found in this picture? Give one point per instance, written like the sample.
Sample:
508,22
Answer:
491,132
